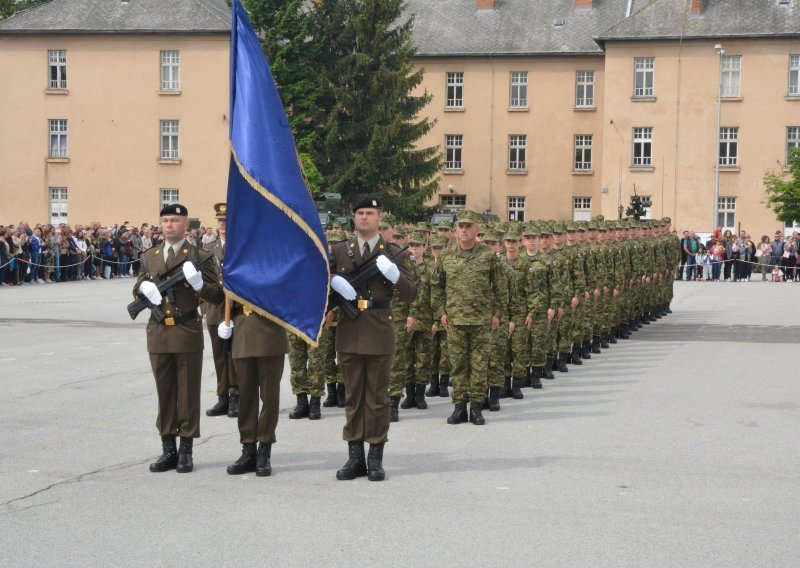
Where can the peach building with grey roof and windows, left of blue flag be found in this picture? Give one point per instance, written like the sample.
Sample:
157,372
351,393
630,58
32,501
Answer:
111,109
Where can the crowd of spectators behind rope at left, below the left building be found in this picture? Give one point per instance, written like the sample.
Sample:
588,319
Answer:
60,253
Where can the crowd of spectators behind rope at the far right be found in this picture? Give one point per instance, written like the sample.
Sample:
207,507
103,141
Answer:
725,256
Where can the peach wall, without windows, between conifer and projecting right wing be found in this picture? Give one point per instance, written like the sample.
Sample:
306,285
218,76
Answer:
486,122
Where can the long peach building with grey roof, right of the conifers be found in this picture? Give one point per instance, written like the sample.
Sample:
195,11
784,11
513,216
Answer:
567,108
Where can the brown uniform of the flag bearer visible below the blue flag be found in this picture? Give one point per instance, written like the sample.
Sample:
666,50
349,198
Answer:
259,349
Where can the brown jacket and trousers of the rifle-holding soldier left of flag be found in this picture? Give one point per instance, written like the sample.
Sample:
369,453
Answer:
176,351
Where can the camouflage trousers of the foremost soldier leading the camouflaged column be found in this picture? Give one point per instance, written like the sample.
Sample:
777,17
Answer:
468,347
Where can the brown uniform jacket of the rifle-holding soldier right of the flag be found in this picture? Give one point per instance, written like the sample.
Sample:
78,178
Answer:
372,333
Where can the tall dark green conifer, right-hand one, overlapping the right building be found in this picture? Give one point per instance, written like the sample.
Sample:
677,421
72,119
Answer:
370,117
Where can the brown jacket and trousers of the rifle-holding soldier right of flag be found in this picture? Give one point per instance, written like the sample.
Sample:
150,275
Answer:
365,345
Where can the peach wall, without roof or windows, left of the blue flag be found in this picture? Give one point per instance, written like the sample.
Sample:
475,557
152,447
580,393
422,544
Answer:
113,107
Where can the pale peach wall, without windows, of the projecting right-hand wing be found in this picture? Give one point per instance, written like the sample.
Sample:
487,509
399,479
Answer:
684,121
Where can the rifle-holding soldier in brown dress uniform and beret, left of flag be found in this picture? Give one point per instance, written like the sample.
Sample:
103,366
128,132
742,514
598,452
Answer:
176,344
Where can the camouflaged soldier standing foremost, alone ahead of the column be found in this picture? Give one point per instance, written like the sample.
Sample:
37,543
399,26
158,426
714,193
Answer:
469,297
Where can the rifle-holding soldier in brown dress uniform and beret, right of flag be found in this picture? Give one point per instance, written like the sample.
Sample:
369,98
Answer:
365,345
